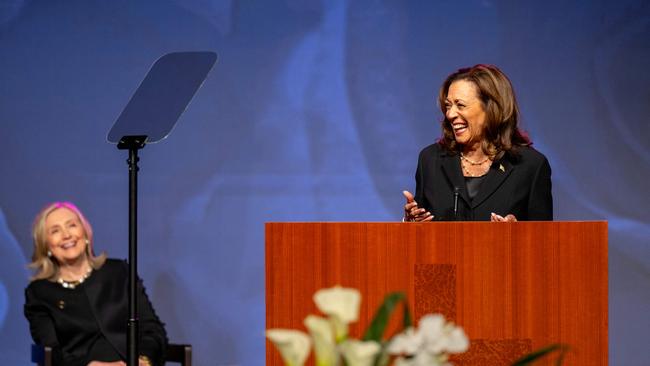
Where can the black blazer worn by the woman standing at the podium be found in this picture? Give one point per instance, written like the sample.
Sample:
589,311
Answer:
518,185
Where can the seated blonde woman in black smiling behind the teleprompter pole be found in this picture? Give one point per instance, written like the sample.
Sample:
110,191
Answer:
77,302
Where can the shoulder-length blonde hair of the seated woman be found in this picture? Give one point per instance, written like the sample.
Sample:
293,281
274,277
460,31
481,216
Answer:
45,266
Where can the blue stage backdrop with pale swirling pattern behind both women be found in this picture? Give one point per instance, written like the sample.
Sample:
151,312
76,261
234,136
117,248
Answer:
315,111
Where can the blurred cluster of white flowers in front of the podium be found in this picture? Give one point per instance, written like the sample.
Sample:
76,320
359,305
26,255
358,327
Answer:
427,345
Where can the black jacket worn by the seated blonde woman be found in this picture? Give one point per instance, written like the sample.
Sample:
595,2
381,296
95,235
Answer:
72,321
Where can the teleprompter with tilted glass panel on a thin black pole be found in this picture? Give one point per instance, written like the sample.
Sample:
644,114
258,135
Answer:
149,117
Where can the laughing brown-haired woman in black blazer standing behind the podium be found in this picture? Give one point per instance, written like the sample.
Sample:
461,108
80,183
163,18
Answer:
483,168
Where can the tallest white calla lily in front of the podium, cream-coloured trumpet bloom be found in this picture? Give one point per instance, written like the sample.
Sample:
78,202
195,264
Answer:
341,305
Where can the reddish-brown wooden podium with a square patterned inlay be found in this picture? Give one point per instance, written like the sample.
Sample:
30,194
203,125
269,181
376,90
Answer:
513,287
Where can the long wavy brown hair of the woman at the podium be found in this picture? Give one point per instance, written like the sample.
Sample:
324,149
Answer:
502,134
